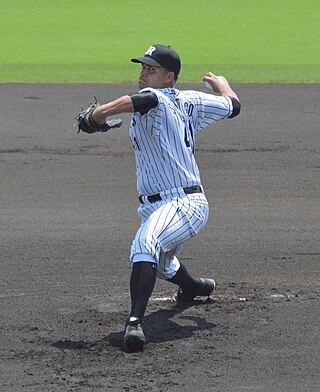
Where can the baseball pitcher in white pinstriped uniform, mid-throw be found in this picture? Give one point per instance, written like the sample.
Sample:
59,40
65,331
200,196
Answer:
173,207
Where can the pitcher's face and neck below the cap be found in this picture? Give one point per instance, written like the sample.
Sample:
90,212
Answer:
155,77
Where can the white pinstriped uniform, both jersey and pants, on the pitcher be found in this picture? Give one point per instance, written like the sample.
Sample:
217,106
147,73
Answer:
164,144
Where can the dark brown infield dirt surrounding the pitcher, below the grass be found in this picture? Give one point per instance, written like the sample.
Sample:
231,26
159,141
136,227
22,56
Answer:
68,215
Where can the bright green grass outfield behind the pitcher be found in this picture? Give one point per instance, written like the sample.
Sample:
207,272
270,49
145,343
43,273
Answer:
83,41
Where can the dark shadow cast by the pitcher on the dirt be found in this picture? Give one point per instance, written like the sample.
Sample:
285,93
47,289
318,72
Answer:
159,327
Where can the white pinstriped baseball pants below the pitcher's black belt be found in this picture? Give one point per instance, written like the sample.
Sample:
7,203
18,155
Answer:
165,226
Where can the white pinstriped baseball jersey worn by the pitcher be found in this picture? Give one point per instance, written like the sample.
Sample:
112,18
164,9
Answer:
164,137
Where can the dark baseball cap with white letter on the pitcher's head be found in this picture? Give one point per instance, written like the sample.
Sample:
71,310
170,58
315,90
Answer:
161,56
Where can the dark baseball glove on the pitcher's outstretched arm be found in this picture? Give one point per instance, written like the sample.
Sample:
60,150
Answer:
87,124
